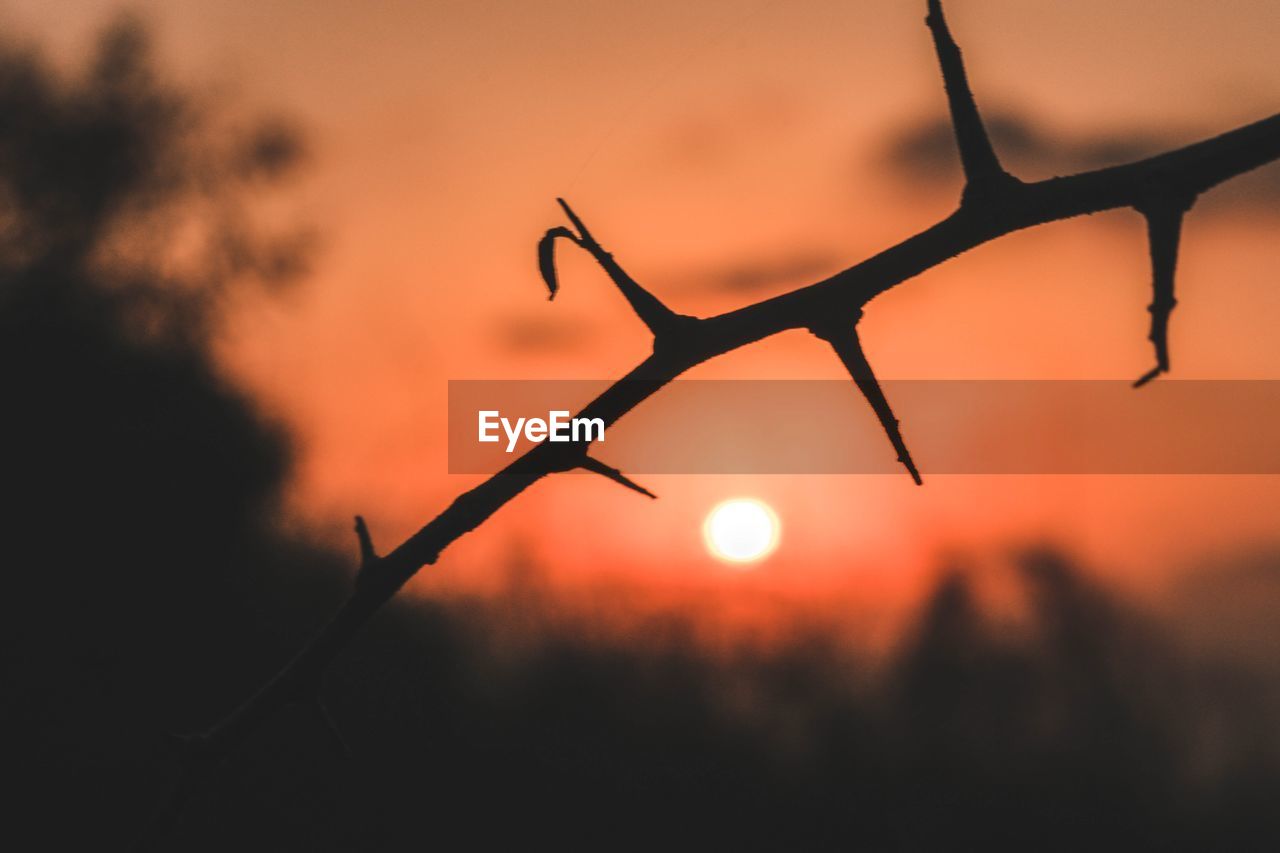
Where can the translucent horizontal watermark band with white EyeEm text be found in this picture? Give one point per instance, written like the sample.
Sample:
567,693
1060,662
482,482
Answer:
825,427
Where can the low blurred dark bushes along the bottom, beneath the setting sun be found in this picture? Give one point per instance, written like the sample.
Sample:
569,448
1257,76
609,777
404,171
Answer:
1085,728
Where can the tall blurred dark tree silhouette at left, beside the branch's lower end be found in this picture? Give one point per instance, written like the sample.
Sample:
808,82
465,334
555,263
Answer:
143,490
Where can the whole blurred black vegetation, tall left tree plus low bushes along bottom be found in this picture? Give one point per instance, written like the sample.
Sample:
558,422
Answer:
148,585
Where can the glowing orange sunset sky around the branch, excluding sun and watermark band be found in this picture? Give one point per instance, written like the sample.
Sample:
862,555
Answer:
700,140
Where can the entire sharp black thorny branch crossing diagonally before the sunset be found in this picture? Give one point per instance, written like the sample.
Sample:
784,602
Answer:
994,204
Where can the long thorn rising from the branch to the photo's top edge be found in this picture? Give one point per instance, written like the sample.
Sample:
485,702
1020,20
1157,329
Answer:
982,167
